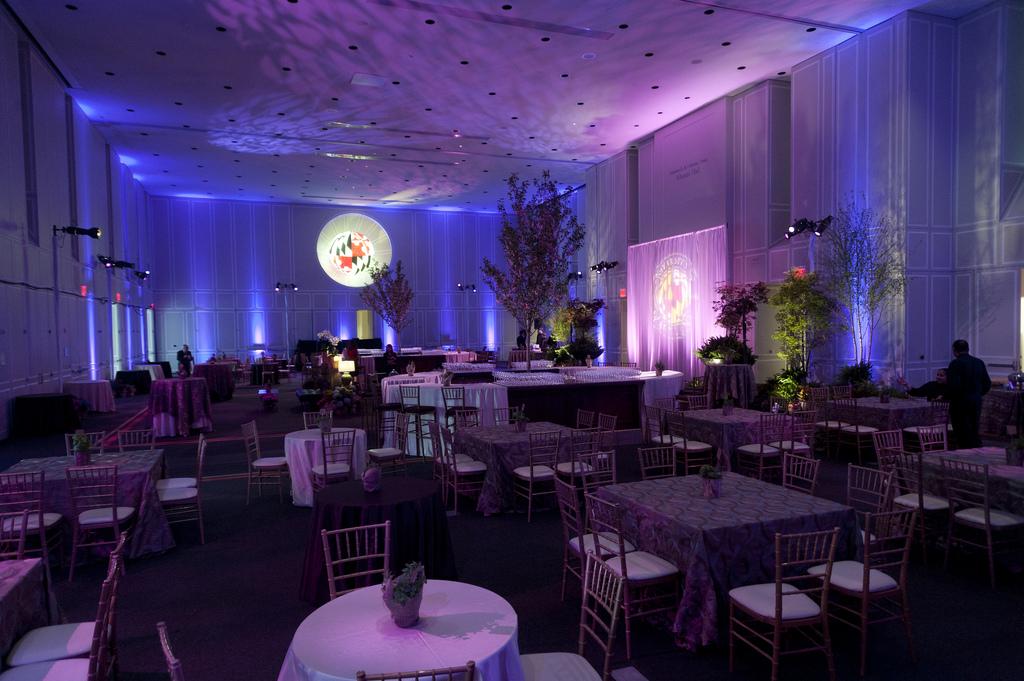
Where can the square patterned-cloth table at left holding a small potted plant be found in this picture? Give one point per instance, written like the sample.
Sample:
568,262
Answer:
138,476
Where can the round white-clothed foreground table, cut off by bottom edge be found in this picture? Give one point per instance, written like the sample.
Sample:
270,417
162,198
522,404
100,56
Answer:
355,633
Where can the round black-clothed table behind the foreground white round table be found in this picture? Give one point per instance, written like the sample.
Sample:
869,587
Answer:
419,528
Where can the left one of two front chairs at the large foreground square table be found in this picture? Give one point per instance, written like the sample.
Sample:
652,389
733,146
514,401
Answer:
762,615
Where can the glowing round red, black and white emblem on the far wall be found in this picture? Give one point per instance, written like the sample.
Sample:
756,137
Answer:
350,246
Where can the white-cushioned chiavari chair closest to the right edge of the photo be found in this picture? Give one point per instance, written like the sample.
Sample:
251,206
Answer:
974,524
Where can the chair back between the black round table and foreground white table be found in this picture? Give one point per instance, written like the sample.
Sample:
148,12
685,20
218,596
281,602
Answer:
357,557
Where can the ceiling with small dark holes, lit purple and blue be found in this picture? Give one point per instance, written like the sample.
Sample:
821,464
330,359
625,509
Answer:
242,99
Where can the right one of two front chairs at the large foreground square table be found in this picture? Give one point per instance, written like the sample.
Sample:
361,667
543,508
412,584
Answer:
887,552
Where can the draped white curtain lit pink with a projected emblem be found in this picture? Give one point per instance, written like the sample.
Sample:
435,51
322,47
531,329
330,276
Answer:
671,292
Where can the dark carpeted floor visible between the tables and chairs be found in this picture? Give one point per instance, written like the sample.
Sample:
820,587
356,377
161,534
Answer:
233,605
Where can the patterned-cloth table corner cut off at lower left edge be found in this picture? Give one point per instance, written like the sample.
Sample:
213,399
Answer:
26,601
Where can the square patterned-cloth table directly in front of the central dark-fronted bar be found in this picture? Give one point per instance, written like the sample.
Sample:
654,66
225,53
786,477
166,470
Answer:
503,449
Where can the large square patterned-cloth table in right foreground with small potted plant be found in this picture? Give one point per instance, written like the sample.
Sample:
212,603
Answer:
721,544
